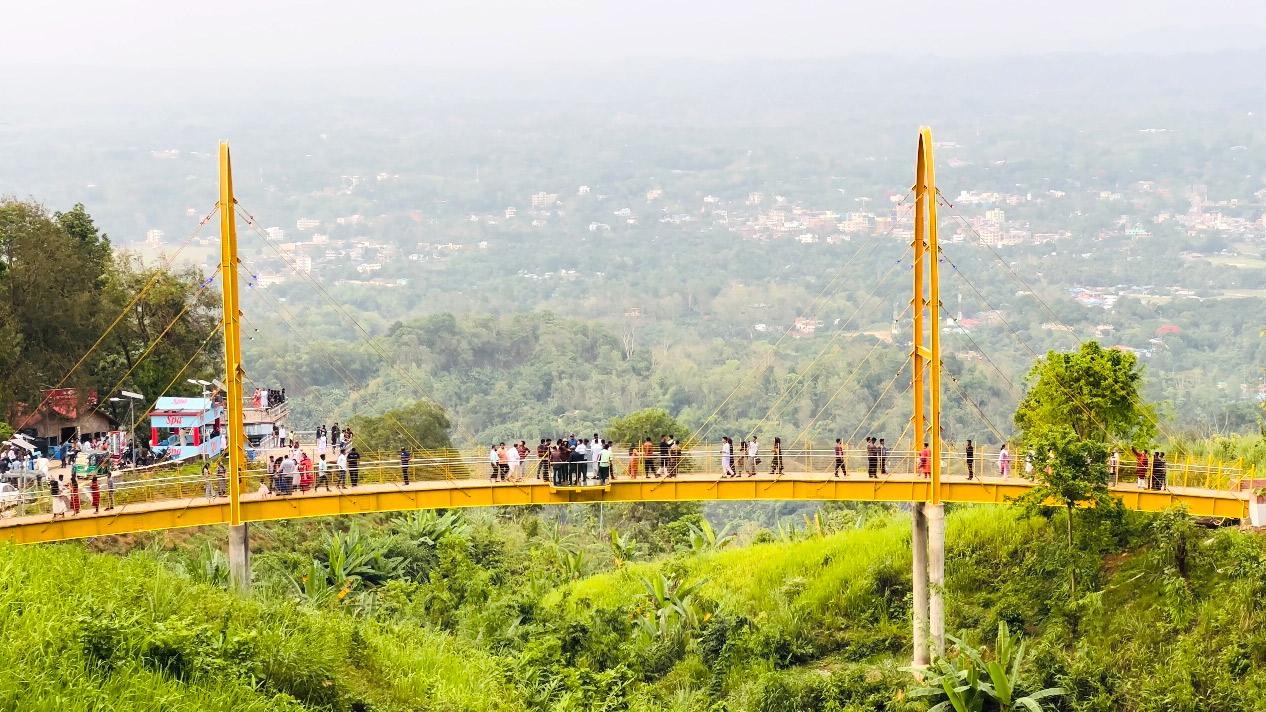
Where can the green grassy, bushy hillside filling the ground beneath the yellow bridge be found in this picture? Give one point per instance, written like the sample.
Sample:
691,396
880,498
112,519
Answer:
520,610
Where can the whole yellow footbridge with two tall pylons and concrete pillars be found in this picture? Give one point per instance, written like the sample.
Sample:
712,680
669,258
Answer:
456,480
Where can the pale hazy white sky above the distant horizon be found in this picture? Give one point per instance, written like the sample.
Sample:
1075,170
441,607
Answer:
506,34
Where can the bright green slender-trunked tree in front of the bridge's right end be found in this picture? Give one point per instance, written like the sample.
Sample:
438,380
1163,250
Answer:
1077,405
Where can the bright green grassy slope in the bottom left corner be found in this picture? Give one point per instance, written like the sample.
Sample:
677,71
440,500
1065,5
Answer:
83,632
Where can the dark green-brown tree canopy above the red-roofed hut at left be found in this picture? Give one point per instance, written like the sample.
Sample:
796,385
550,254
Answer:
63,288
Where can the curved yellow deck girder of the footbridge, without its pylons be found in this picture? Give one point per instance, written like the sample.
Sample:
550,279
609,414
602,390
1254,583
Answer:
442,495
